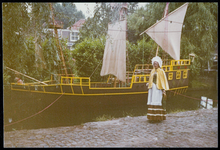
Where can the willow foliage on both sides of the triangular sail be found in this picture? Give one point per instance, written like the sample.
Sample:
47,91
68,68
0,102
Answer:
199,34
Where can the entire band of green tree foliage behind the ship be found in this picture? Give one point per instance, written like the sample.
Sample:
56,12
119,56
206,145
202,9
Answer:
22,29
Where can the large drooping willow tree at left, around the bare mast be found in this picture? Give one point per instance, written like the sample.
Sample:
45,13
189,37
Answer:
24,32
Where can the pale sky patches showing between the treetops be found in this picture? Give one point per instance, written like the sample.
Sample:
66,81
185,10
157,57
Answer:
88,8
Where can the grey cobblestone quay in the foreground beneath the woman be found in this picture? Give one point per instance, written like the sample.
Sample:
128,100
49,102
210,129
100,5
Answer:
197,128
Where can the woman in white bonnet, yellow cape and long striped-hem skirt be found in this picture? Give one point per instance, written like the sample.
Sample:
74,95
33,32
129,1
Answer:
157,86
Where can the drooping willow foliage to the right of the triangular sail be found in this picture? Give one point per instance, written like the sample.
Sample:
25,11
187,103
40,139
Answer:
201,21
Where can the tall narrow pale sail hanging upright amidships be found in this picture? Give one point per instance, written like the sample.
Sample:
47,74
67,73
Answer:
114,58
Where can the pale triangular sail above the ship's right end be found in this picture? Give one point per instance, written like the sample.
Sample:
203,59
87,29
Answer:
167,32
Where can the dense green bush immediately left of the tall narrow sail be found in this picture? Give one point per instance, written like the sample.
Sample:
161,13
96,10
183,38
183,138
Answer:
88,58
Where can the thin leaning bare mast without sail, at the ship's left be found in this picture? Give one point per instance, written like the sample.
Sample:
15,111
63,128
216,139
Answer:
57,40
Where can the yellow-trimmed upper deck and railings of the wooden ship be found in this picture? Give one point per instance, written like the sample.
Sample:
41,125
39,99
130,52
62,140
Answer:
176,72
